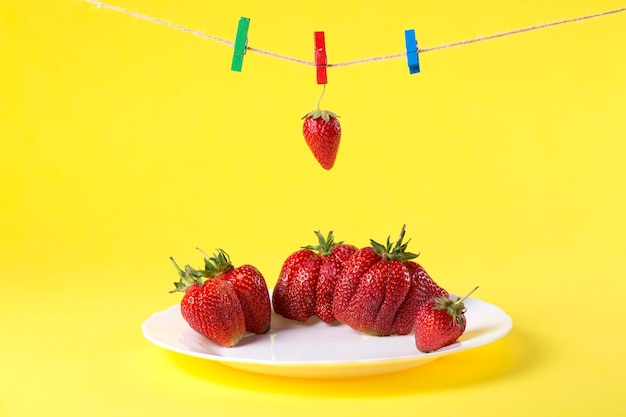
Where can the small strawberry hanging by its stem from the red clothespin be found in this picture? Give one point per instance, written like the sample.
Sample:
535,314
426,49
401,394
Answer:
322,132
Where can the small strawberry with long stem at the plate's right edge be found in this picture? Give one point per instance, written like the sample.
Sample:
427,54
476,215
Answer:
439,322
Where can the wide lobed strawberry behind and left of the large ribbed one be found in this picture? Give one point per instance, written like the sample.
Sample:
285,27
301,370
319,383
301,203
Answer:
307,280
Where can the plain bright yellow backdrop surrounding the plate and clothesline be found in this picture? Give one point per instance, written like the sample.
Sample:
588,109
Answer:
125,142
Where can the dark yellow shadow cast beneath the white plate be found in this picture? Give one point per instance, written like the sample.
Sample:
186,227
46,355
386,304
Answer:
514,353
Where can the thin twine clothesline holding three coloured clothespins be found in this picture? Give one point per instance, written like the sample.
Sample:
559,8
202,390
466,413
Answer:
356,61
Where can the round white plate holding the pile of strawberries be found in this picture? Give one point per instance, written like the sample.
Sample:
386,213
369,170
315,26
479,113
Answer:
318,349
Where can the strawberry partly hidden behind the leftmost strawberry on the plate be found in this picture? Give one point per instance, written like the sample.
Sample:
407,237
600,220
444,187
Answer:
249,285
